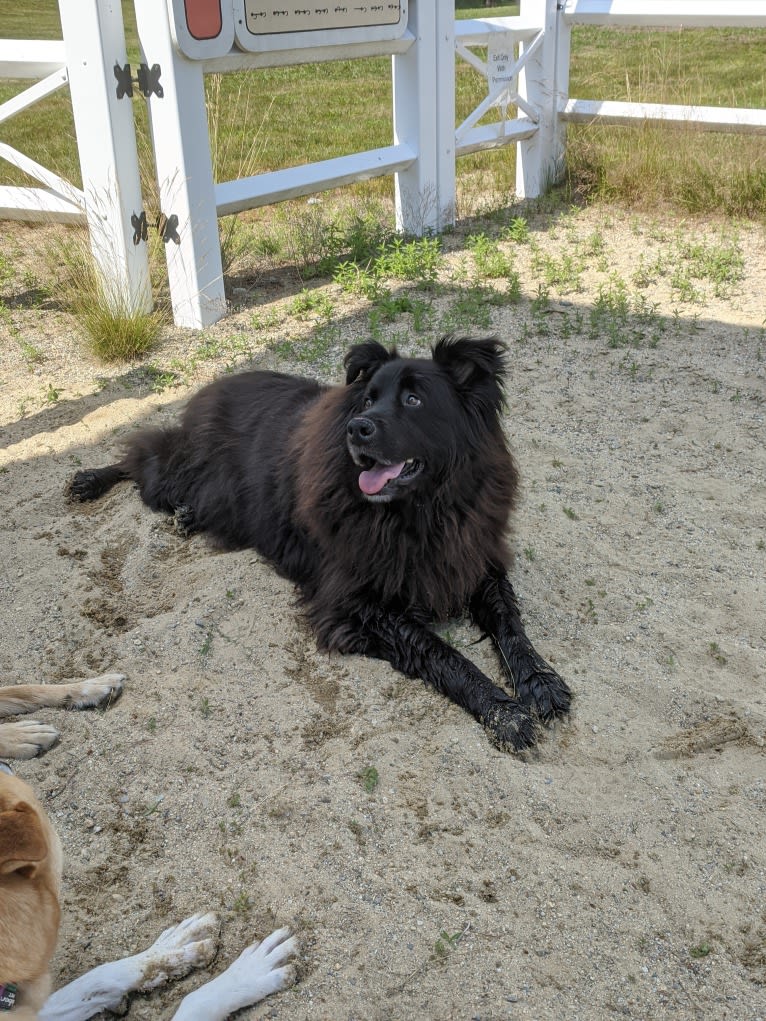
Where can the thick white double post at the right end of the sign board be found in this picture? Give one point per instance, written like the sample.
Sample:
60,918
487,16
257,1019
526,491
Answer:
424,120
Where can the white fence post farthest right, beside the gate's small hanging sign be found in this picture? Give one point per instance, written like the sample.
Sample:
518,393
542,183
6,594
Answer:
543,83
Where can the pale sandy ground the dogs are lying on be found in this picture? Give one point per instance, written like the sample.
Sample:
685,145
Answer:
617,871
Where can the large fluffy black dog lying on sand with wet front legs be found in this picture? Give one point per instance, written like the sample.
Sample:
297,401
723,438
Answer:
387,502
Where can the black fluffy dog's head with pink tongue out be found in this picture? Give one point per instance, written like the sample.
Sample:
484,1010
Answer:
413,420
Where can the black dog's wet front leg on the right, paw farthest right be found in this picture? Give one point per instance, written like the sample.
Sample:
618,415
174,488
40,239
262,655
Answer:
496,610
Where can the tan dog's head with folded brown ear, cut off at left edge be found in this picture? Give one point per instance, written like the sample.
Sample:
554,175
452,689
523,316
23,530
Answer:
30,882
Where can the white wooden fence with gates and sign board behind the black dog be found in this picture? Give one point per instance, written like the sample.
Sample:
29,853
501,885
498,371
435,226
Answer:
525,62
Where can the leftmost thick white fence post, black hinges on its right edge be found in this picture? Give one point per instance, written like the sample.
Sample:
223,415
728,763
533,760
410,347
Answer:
94,41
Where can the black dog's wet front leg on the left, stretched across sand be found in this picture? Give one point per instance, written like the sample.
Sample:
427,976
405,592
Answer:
419,653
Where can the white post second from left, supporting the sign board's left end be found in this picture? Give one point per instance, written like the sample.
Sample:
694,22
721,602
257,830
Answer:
182,154
